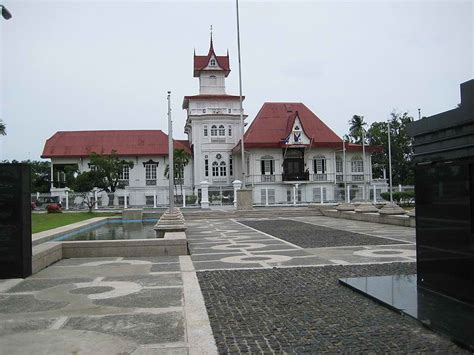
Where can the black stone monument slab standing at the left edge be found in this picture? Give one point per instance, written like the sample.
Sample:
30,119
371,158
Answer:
15,221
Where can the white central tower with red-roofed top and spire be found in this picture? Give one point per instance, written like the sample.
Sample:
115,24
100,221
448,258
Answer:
213,121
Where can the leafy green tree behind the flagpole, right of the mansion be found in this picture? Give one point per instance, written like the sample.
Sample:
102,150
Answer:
401,146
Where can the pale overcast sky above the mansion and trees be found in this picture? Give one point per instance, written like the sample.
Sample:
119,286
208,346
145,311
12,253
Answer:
87,65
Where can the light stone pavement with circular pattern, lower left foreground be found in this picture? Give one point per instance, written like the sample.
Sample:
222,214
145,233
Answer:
106,306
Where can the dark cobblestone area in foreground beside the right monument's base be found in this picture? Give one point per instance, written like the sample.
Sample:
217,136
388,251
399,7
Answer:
305,310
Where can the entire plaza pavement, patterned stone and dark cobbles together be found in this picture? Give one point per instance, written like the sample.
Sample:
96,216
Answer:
265,285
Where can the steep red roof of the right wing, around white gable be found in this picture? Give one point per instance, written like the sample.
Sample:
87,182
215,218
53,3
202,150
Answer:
274,122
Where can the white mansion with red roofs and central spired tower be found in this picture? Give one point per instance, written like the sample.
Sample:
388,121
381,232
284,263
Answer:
291,155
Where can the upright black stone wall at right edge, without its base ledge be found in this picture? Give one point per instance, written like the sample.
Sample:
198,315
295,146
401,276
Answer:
444,185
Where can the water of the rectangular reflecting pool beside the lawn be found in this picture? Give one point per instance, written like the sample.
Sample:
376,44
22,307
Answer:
114,230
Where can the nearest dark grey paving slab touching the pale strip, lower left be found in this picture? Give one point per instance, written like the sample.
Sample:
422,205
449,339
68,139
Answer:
142,328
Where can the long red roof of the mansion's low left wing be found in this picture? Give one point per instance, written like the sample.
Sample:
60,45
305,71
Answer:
126,143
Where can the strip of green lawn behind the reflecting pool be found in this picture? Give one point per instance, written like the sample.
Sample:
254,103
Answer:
45,221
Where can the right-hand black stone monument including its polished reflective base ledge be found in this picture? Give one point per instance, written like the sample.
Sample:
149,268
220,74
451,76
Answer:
441,295
